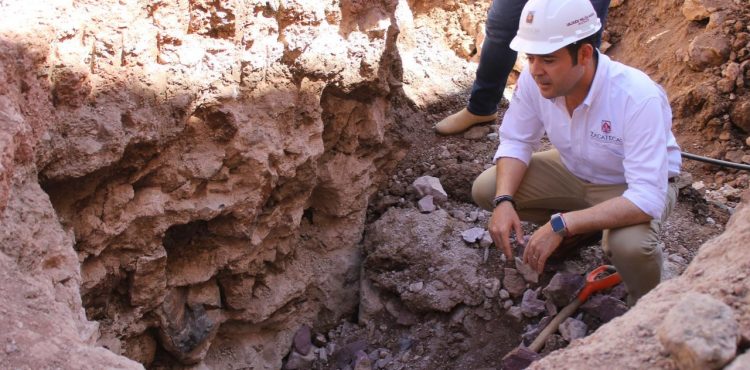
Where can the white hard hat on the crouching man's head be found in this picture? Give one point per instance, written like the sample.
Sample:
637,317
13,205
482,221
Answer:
548,25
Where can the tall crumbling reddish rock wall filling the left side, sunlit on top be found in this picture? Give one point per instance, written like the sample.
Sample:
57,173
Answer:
206,164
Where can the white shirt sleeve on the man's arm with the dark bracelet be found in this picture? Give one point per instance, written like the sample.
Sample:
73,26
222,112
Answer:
521,130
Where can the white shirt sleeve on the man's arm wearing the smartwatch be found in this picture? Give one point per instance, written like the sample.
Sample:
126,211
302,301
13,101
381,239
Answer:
645,163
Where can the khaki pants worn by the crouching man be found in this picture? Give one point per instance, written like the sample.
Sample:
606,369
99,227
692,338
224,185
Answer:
549,187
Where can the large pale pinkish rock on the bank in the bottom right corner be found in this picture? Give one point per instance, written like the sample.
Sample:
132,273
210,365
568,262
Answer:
700,332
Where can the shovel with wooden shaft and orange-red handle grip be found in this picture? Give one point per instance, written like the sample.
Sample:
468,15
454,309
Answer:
522,356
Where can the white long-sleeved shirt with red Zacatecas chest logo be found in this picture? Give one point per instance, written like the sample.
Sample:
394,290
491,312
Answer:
621,133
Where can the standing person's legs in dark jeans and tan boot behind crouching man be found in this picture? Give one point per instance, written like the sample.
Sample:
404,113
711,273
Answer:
495,63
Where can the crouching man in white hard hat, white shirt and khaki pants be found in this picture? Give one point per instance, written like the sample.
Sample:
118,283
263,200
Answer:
615,157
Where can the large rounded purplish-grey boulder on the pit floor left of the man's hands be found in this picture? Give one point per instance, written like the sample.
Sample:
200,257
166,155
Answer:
398,265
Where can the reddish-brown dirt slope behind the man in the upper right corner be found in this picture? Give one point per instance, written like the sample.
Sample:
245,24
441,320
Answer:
701,58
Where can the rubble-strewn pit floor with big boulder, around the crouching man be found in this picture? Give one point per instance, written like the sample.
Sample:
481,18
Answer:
483,309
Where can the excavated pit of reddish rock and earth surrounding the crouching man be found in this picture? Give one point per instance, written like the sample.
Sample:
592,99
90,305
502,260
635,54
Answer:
205,184
